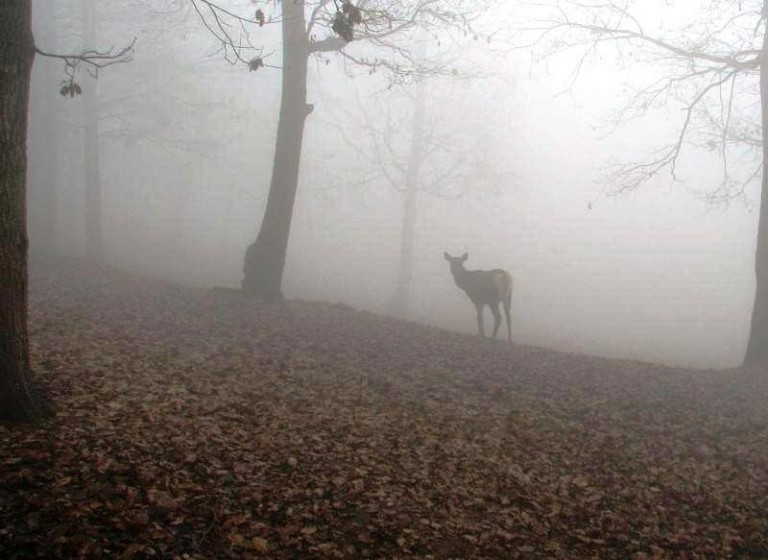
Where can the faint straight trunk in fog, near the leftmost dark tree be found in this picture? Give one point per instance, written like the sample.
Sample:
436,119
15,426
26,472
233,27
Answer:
94,240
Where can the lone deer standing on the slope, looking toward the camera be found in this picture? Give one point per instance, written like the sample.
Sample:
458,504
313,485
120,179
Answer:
484,287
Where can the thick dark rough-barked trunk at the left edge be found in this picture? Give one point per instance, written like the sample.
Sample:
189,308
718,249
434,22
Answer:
16,55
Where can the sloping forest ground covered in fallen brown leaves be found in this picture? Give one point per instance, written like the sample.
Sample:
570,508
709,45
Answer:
200,424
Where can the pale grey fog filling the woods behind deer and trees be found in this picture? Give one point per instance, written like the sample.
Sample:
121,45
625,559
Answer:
662,273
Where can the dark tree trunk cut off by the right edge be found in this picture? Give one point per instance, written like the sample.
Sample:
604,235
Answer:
757,349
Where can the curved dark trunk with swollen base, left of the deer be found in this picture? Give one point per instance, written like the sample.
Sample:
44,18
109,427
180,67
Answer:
265,258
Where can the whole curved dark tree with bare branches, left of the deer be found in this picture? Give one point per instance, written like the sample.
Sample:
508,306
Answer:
314,29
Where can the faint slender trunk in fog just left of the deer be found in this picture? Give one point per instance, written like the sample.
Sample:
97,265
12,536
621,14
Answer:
401,300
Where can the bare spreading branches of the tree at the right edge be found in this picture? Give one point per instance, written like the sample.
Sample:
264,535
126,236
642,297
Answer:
704,70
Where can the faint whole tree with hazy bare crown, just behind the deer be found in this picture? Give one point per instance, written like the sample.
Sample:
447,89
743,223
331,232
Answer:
427,139
